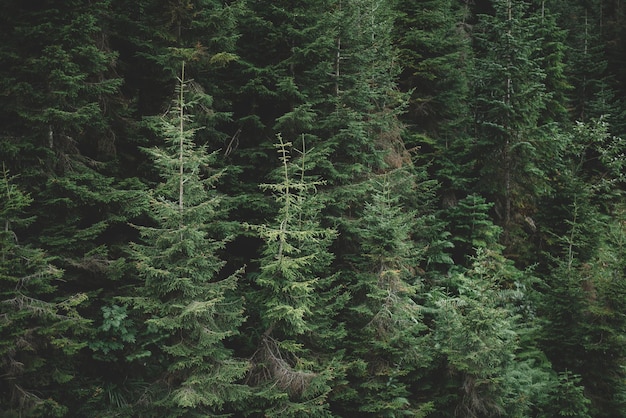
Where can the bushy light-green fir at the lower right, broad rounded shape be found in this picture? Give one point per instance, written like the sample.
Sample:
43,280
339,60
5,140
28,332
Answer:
481,335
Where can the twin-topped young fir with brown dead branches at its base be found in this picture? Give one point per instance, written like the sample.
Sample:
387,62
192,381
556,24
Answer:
296,299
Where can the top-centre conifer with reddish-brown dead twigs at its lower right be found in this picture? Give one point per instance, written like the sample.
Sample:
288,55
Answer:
361,129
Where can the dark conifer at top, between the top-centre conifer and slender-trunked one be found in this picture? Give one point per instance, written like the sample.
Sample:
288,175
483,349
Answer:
433,38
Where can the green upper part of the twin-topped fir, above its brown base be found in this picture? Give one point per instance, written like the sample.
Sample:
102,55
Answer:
296,247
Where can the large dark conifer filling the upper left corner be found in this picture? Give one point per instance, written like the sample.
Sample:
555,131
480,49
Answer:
59,110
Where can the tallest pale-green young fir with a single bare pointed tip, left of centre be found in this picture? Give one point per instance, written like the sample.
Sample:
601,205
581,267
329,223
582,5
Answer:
188,306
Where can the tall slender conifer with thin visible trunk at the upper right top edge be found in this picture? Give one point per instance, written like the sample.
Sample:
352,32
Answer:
509,101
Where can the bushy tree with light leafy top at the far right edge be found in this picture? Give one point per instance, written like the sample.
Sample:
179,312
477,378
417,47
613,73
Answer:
584,327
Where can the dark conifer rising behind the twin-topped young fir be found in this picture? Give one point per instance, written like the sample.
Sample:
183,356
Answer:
280,84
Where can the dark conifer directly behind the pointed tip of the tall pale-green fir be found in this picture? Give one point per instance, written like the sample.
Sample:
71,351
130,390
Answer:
151,37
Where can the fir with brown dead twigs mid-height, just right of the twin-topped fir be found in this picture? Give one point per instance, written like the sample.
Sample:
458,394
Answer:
388,350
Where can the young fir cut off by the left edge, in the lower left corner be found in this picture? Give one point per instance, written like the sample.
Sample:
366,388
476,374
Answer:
40,333
